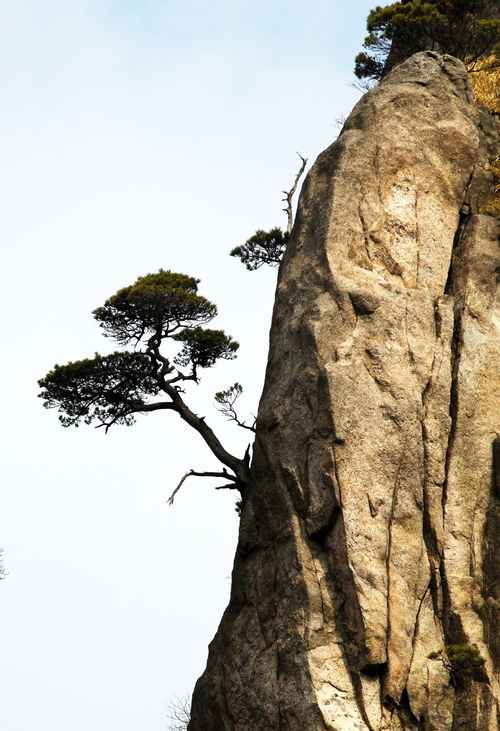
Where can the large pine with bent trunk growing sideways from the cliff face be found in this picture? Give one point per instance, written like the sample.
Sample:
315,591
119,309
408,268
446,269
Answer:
155,313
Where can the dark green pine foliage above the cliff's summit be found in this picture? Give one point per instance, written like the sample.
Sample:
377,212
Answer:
467,29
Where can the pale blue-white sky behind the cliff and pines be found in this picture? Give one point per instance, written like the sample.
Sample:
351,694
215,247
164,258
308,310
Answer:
136,135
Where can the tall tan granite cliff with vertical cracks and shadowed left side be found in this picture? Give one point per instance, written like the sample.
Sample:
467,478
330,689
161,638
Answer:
367,535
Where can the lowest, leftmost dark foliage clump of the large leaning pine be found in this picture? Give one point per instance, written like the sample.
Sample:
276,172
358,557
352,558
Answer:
103,388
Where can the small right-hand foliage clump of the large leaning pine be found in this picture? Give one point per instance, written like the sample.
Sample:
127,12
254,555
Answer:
203,347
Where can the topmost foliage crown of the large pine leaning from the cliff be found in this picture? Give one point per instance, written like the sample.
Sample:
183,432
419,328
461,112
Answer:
155,306
